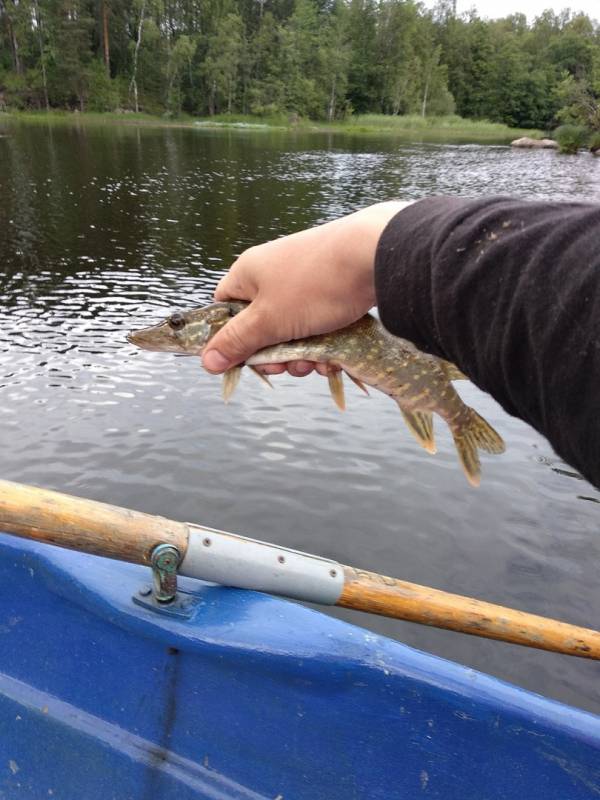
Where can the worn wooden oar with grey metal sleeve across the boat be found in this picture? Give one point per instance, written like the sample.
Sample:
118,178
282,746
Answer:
232,560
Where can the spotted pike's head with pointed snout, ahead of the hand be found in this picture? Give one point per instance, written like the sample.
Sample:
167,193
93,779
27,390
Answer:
186,332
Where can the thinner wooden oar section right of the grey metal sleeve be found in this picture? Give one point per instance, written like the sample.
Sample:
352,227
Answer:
378,594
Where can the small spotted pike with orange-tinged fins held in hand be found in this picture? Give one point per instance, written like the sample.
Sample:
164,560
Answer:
421,384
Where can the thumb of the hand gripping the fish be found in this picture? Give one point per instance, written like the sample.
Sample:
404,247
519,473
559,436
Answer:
240,338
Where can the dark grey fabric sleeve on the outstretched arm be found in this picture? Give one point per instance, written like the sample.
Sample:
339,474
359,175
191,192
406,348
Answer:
508,290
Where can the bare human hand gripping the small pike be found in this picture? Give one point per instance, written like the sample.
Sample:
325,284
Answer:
311,282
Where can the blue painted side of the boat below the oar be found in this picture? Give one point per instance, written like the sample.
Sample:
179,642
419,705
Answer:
252,697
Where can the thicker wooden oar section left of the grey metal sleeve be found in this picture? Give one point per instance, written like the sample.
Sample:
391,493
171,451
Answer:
86,525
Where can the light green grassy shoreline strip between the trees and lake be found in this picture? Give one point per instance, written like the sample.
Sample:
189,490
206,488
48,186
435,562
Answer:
413,127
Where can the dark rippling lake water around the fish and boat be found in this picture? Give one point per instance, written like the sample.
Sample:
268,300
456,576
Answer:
107,228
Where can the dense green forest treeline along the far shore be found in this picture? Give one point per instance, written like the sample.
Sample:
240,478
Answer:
321,59
